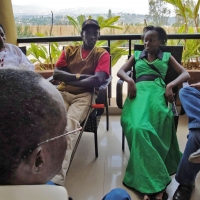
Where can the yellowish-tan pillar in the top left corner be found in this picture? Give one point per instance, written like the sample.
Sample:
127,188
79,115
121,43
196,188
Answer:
8,21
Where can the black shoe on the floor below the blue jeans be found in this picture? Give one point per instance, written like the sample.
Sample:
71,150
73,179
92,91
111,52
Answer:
183,192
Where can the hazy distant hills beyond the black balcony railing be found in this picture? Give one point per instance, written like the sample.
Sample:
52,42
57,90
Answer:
35,15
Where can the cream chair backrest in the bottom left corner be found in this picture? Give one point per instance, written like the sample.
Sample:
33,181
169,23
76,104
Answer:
33,192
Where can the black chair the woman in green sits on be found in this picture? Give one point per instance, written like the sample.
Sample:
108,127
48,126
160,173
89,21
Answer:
176,52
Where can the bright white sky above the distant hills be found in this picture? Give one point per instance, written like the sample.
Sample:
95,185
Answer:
132,6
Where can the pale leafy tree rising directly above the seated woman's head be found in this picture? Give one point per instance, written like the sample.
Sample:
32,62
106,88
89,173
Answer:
158,12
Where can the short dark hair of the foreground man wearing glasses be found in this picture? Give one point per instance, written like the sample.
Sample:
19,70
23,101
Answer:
28,115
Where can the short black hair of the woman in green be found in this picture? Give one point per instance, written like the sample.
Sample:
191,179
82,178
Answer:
162,35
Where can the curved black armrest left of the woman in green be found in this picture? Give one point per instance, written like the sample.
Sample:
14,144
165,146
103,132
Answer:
119,91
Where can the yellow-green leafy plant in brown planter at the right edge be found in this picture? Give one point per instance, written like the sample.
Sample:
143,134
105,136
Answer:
188,12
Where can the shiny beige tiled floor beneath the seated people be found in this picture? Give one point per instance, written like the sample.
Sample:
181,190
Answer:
90,178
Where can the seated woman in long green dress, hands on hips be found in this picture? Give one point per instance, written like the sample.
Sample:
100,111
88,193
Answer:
147,120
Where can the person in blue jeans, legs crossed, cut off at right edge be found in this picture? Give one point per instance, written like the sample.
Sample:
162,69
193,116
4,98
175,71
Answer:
189,165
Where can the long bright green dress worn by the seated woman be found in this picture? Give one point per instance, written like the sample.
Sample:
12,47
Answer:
147,122
